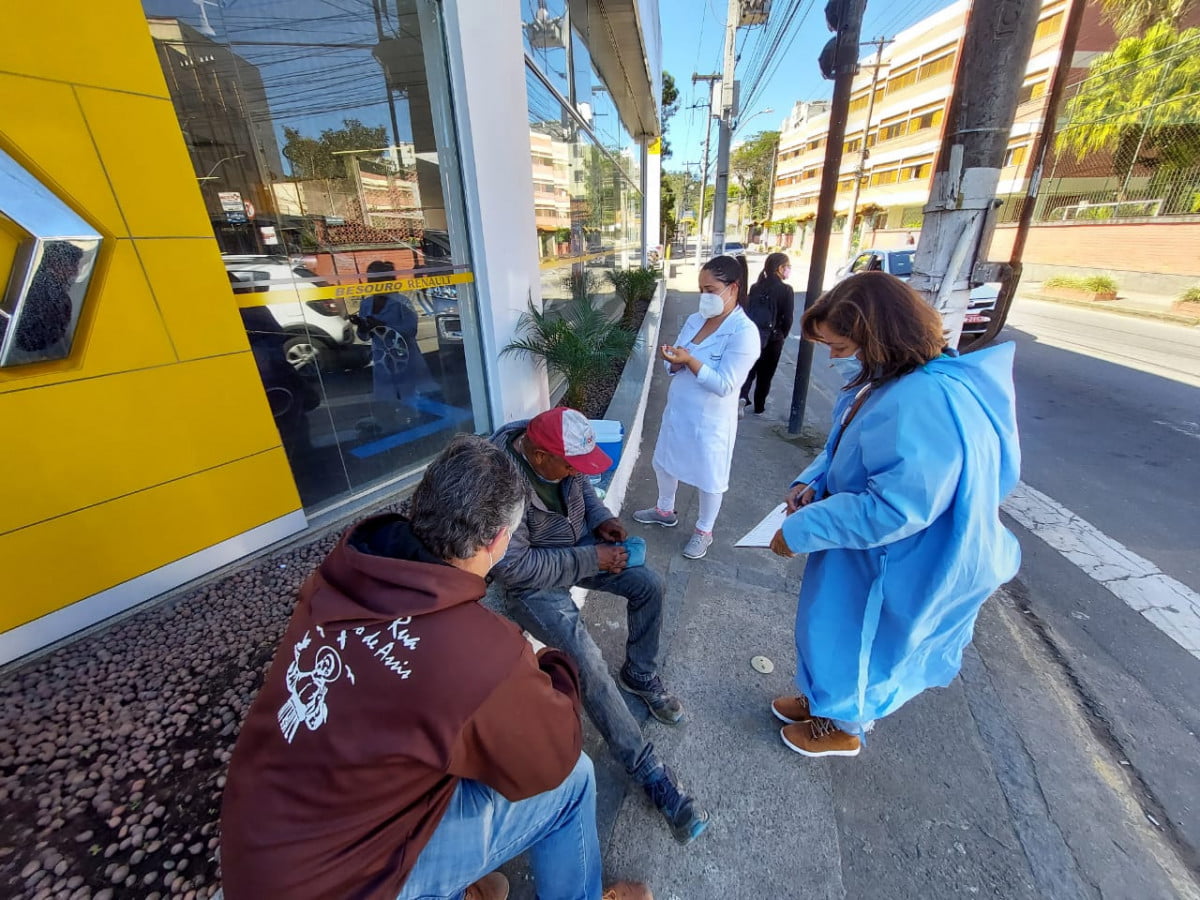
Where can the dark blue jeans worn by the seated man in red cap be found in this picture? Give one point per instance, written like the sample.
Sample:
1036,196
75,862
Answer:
553,617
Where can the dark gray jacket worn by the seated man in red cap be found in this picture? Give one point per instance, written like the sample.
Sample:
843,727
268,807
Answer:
550,550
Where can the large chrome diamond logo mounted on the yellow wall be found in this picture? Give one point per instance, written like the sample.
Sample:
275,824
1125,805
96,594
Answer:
51,272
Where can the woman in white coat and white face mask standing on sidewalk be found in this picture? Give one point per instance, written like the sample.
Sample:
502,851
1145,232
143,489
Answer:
709,364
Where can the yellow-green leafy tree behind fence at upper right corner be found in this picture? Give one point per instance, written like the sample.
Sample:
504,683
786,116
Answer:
1138,105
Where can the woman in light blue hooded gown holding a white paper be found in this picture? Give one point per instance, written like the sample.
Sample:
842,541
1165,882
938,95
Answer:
899,514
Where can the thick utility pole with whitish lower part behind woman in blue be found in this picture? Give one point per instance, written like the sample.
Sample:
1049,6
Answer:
961,213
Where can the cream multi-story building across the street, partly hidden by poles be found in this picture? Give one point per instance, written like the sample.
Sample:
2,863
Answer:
892,154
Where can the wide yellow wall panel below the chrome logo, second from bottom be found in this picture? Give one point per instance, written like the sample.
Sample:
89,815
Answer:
86,442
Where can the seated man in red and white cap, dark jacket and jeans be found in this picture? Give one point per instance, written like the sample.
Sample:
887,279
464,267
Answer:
567,538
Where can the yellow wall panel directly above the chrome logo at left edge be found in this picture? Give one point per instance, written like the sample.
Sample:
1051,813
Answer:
45,129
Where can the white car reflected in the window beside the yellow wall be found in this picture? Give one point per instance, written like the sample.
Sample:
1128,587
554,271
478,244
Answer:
320,329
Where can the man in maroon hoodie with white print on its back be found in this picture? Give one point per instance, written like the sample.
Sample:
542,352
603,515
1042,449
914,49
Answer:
406,741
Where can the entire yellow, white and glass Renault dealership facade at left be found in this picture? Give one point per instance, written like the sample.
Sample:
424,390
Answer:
313,230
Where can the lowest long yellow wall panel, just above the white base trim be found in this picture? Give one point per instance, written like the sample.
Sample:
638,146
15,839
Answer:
56,563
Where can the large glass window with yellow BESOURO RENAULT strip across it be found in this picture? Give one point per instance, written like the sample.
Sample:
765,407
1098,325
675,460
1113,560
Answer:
322,143
